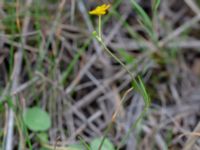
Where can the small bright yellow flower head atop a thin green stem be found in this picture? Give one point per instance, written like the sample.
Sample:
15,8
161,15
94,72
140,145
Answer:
100,10
